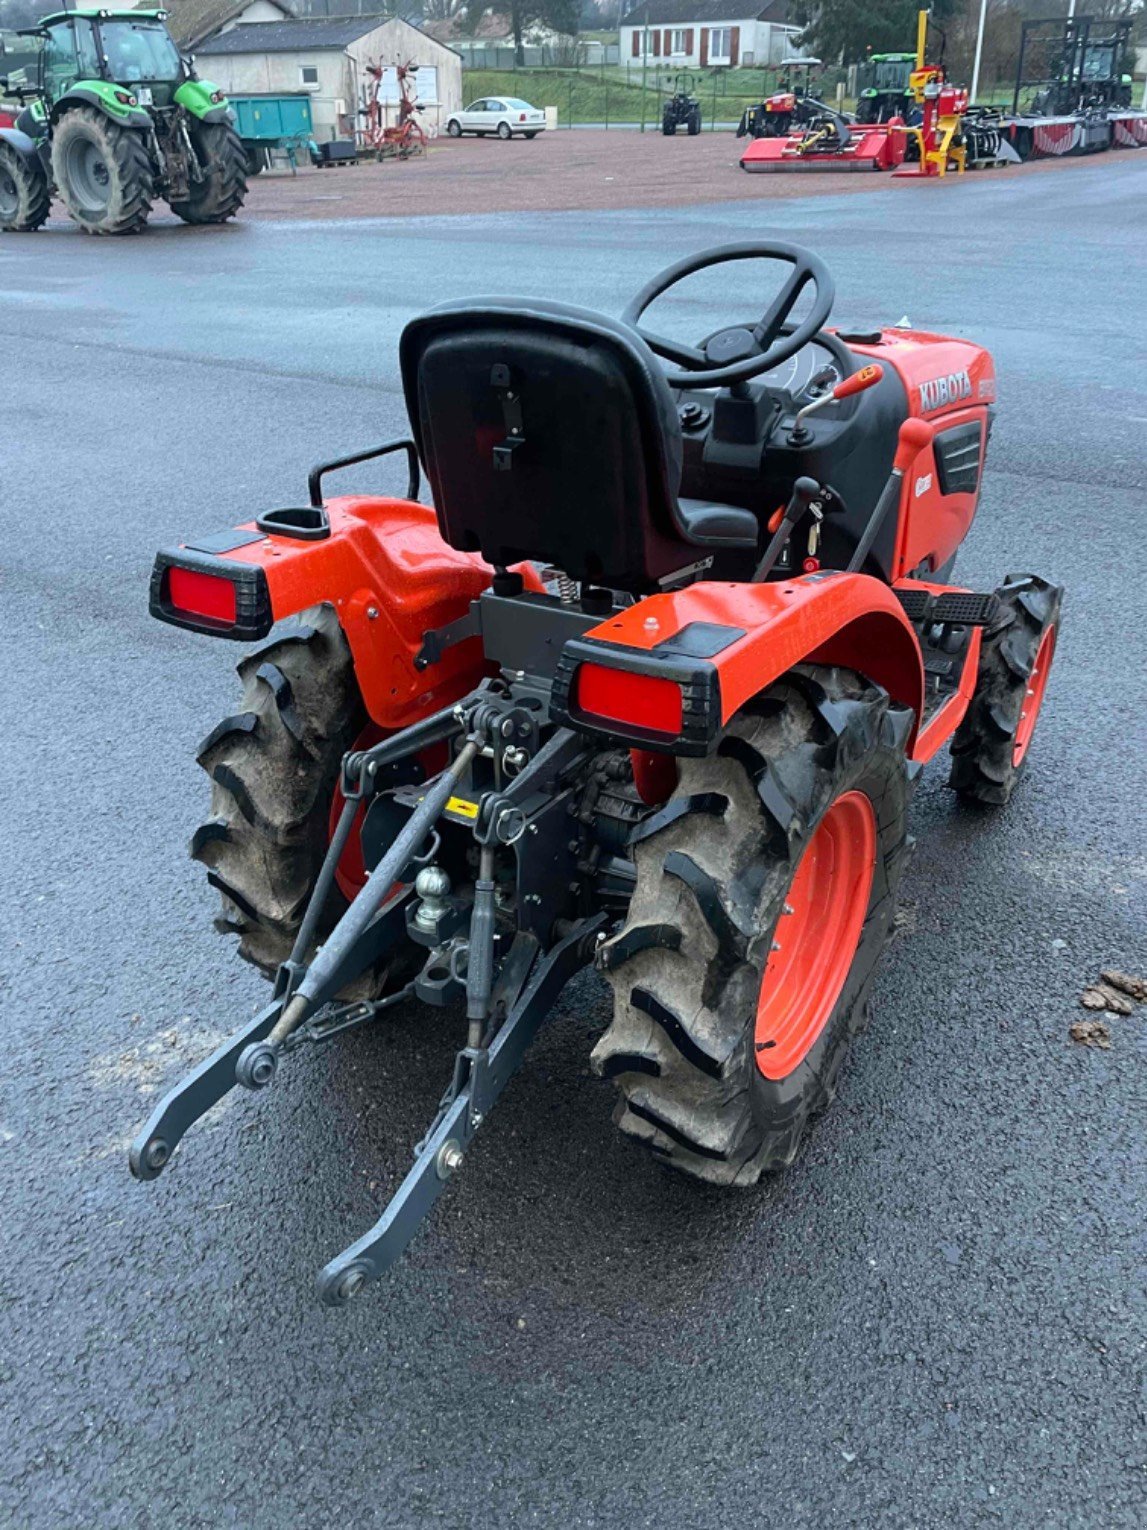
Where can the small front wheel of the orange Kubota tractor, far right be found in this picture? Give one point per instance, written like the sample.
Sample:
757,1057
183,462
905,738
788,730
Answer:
990,749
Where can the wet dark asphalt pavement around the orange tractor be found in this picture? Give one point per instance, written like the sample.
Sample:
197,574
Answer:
937,1318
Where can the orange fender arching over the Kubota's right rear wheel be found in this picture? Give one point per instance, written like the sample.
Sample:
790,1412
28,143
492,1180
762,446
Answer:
753,634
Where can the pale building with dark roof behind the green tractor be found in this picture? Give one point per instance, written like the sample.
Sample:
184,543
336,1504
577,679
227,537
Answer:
328,59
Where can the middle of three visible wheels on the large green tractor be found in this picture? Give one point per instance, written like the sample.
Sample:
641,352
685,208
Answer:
103,172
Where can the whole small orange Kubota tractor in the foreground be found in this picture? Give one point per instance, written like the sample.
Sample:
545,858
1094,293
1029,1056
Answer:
648,689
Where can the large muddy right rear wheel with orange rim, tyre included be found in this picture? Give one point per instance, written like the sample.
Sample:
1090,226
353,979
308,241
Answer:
764,899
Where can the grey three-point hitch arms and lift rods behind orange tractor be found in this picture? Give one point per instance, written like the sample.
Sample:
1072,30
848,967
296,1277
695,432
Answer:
505,1008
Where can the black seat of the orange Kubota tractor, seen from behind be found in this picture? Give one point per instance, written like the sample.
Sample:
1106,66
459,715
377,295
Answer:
550,434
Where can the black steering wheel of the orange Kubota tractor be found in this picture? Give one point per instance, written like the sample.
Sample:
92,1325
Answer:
735,356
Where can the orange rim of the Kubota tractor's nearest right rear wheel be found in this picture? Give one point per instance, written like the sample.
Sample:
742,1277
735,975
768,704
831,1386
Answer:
817,936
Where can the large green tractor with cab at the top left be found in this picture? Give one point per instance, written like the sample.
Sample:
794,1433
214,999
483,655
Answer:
114,120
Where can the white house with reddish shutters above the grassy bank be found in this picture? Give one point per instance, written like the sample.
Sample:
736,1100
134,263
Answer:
704,34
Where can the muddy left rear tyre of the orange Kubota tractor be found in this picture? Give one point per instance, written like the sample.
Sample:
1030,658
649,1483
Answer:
275,773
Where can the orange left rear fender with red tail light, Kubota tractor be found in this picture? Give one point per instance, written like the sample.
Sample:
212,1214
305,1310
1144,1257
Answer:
386,571
